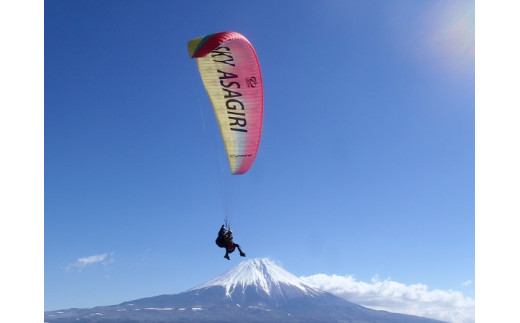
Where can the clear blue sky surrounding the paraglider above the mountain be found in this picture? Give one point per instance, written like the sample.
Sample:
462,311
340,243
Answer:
366,167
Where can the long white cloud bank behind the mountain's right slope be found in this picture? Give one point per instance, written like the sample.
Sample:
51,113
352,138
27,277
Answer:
391,296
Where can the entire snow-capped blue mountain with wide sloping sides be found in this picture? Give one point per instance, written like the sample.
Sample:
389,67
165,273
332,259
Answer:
256,290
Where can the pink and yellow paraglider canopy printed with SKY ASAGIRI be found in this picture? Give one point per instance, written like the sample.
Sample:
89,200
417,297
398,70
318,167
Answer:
231,74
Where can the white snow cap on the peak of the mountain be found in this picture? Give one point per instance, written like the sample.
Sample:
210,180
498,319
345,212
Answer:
263,274
